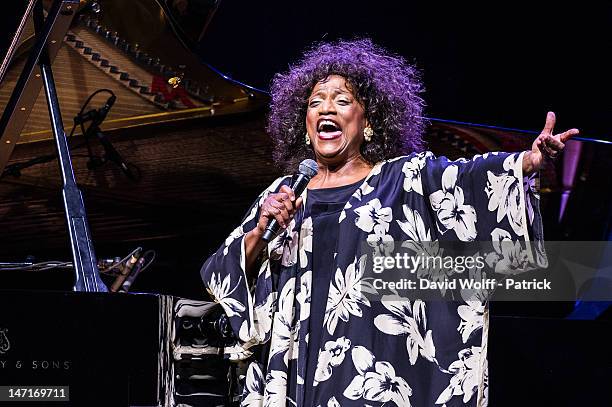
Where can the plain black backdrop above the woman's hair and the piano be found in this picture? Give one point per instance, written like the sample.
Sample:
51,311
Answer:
502,64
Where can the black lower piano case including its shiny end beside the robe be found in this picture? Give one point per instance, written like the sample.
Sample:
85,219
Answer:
111,349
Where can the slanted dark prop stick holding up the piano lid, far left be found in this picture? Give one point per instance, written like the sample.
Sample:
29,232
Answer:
50,31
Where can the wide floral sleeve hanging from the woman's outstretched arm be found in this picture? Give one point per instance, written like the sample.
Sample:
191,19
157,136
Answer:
486,199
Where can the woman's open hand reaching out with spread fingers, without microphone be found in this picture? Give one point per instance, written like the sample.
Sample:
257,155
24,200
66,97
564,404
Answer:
546,146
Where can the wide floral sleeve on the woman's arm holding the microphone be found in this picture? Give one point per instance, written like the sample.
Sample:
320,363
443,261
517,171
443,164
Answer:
248,306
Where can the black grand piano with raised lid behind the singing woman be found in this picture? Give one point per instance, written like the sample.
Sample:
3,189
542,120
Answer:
196,154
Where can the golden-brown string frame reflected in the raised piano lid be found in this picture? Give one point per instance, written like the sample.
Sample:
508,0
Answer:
133,48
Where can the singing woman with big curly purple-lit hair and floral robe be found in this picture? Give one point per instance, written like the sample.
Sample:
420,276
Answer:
298,302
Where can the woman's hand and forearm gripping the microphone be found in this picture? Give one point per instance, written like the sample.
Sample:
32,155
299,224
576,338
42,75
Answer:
280,206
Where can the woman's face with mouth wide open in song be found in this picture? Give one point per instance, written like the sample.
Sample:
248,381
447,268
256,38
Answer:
335,121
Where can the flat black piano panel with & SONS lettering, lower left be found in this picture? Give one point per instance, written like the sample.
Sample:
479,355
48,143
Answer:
105,347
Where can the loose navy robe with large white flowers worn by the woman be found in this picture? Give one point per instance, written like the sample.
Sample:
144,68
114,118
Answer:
394,351
